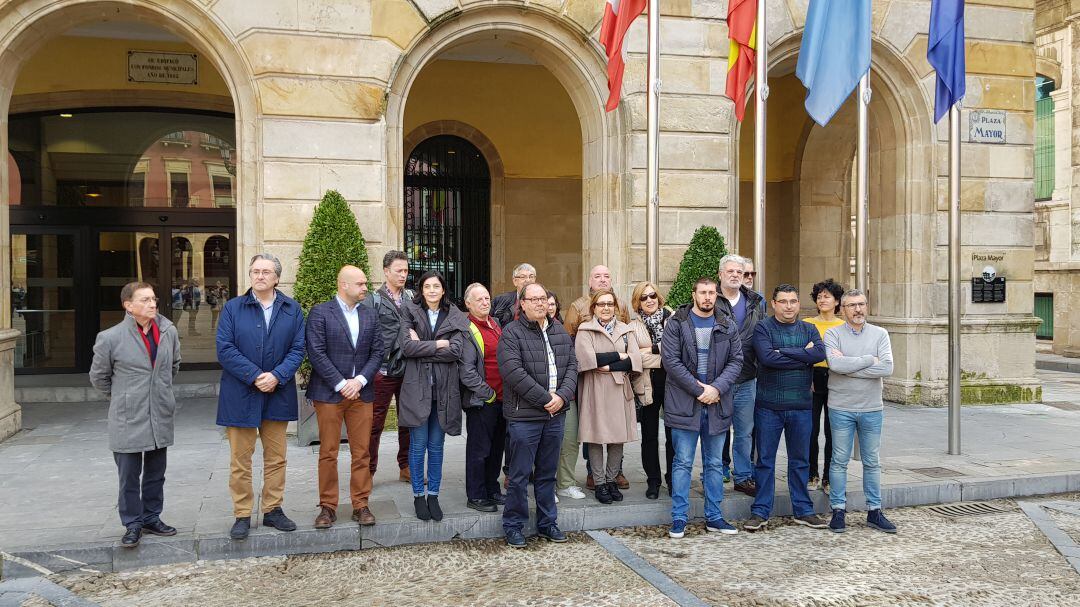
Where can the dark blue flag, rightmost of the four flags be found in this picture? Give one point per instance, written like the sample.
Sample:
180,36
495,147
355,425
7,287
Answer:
946,52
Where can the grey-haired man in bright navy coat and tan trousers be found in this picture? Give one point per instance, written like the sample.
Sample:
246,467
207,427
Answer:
261,347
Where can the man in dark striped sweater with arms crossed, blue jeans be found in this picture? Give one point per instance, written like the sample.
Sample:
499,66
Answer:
787,352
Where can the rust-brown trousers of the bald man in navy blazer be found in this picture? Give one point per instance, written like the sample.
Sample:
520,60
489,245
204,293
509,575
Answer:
357,416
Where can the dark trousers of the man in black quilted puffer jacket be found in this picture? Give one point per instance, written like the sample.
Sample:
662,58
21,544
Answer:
533,449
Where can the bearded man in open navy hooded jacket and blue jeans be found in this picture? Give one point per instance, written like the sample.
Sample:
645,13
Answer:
703,353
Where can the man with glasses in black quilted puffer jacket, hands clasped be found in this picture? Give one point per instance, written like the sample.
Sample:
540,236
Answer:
541,379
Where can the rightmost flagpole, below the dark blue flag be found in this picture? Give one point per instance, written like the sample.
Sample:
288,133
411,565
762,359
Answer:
954,279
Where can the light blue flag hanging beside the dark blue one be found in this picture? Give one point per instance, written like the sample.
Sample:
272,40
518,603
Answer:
835,55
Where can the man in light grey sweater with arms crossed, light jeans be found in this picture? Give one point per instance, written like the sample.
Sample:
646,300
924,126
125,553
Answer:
860,356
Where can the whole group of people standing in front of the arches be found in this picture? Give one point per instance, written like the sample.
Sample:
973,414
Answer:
531,389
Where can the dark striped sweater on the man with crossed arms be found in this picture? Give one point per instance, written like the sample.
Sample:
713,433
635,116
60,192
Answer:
786,365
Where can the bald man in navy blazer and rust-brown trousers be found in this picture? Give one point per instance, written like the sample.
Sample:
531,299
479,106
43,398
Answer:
345,347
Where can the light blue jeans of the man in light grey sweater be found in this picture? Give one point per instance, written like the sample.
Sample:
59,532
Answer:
845,425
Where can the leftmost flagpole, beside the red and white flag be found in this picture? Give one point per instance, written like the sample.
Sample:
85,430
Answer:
653,180
